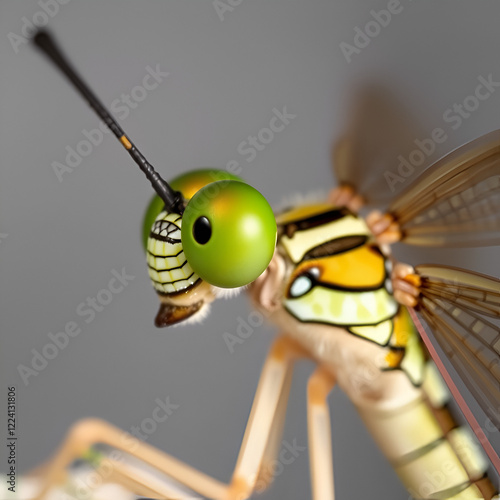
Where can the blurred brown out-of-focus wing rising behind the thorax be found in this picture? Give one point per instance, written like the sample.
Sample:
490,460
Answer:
378,130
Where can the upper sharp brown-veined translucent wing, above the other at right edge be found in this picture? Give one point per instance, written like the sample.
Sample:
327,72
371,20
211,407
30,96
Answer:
456,202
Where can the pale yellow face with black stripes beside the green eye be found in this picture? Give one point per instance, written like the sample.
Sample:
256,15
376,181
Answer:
168,267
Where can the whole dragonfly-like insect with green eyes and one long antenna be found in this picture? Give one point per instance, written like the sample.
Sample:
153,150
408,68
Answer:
340,299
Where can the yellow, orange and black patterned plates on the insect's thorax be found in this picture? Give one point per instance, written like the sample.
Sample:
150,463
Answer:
341,278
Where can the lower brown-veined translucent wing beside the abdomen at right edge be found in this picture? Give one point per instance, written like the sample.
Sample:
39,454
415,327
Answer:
454,302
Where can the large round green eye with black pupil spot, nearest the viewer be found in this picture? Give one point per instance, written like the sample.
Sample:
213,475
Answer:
228,233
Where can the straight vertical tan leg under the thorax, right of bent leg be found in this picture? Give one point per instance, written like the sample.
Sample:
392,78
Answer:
320,448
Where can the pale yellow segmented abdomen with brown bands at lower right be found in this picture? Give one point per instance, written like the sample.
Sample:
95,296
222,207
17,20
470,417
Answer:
432,454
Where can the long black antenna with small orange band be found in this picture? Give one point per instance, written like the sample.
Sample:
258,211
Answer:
173,199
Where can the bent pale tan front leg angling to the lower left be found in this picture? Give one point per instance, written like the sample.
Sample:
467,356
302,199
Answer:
269,398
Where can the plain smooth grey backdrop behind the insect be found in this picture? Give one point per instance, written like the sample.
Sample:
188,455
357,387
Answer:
64,238
